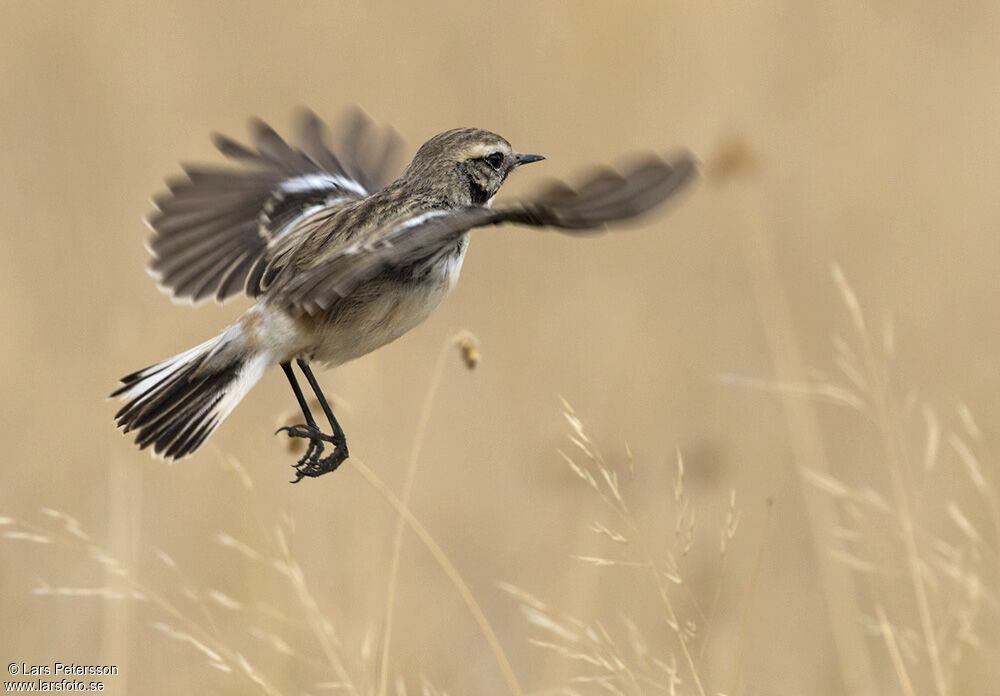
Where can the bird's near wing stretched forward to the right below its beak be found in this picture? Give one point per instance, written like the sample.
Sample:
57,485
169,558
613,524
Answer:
605,196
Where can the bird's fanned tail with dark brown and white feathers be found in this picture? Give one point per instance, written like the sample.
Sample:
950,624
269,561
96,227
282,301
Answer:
173,406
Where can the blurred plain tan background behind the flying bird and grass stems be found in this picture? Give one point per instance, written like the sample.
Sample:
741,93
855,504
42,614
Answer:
872,129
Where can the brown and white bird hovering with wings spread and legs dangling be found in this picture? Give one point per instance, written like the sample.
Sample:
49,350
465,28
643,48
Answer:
340,258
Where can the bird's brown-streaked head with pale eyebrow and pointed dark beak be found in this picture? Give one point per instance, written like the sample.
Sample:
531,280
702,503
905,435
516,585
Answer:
465,165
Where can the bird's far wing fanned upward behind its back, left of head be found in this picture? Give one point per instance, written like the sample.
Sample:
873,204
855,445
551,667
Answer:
213,227
